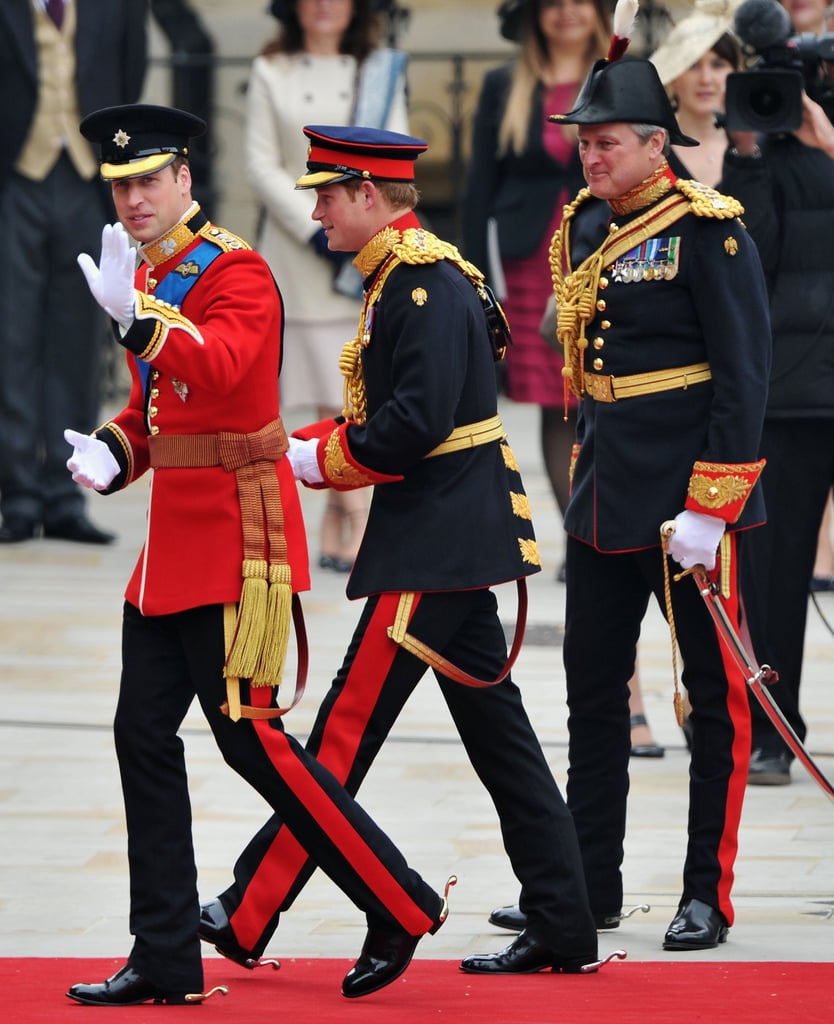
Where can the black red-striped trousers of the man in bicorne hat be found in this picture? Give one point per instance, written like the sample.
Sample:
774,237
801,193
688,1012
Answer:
607,600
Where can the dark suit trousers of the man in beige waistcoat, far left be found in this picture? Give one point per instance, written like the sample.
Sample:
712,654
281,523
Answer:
52,333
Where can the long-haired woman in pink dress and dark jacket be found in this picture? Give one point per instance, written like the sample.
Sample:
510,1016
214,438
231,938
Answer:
523,170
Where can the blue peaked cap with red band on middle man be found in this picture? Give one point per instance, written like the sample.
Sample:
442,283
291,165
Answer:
340,154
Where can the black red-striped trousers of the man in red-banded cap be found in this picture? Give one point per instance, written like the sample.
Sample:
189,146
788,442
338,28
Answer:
358,713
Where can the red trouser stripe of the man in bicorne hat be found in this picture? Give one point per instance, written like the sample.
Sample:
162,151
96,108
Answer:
739,711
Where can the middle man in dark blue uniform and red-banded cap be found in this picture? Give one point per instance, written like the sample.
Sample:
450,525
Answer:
449,520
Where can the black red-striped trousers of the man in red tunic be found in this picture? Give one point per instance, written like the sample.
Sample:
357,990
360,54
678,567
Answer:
169,660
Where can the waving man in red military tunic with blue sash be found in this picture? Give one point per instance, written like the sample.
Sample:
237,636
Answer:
207,609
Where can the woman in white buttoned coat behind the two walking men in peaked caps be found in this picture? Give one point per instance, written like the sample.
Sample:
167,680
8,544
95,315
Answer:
324,67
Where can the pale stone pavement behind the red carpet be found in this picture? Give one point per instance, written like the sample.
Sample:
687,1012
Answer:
64,885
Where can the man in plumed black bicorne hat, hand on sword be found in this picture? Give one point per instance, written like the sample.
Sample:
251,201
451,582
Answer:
663,317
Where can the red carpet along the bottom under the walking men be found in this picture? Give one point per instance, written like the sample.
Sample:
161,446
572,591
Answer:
308,993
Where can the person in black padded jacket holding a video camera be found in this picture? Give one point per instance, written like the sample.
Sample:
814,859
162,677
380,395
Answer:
784,177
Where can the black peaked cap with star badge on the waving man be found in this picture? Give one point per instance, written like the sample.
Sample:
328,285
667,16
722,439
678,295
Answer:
140,139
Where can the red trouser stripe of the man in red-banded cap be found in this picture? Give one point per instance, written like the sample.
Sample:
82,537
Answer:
277,874
